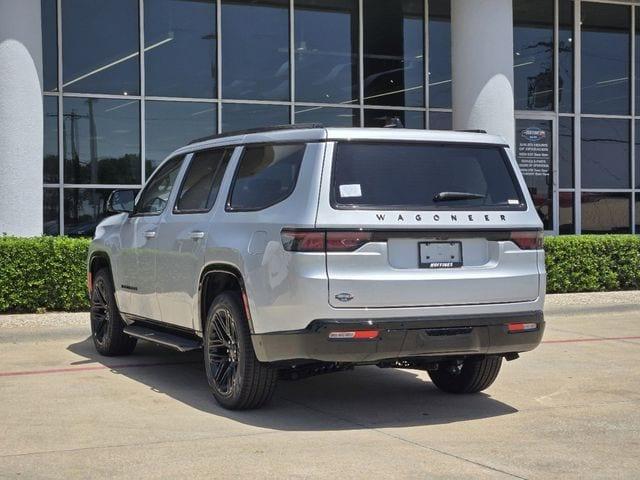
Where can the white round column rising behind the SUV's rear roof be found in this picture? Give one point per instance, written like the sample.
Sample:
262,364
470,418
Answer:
482,66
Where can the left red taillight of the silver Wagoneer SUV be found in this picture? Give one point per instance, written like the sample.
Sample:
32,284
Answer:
321,241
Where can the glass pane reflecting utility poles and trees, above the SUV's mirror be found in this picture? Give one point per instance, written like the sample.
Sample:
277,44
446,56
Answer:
101,141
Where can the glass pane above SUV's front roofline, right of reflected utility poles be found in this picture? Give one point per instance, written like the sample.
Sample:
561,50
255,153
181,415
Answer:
171,125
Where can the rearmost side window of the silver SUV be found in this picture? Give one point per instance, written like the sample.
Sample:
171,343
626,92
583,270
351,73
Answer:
266,175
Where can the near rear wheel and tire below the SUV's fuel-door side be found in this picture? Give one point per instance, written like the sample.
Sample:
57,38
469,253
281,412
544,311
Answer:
237,379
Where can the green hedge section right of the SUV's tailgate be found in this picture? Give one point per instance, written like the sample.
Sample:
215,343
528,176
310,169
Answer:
592,263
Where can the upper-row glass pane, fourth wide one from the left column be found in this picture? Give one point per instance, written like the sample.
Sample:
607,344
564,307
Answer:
326,51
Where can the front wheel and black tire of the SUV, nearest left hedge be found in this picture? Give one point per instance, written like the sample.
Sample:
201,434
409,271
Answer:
106,323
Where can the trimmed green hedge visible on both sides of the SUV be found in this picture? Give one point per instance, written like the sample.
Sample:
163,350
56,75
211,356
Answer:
48,273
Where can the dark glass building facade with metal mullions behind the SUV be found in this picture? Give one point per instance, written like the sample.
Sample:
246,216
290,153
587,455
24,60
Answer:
128,81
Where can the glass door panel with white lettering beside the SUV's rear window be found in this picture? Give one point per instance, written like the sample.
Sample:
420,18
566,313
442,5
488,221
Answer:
534,151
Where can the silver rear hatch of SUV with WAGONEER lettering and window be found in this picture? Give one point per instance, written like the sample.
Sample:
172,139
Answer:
422,224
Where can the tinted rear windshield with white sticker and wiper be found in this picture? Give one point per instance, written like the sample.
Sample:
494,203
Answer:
423,176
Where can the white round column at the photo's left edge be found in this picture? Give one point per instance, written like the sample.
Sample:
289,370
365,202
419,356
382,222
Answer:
21,118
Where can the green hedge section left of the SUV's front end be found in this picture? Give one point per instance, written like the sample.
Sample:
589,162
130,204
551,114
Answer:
43,273
